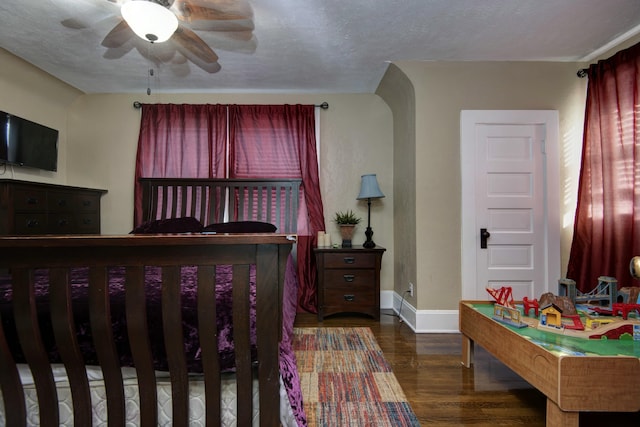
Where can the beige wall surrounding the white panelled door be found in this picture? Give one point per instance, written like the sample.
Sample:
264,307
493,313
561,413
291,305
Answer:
442,90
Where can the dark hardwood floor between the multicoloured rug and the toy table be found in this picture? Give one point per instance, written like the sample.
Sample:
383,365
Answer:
444,393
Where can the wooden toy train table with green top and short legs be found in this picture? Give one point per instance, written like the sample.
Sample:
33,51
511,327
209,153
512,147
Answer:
575,374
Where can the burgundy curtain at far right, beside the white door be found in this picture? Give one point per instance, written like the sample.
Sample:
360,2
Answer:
607,228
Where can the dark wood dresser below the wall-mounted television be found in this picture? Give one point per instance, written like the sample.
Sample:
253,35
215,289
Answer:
29,208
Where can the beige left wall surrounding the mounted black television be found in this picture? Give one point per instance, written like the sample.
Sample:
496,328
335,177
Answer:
30,93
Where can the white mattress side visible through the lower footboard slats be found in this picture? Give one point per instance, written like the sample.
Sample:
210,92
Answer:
98,399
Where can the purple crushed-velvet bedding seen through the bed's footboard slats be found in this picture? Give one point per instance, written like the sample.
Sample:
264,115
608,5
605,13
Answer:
288,367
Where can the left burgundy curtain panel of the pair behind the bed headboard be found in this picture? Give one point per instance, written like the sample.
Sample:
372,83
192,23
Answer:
180,141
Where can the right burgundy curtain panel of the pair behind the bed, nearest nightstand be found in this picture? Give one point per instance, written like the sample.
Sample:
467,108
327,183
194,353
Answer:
279,141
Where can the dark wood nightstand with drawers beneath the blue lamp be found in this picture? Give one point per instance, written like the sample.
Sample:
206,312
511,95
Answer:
349,280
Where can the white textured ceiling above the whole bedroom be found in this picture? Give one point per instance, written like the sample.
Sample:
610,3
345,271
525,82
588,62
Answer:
312,46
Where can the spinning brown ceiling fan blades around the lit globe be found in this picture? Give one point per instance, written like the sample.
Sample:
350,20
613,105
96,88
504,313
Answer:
227,24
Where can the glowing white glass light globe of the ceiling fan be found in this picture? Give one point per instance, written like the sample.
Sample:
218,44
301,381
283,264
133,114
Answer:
149,20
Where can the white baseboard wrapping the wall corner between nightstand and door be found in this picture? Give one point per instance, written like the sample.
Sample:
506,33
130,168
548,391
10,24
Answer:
421,321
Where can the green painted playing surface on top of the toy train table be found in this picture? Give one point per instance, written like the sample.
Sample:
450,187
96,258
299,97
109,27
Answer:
566,345
